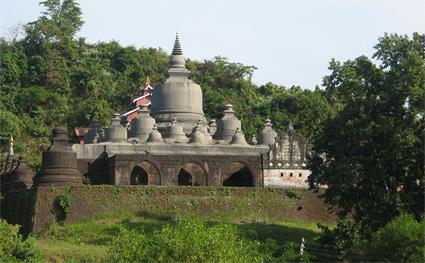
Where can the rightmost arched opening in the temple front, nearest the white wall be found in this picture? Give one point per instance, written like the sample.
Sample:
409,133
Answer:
238,174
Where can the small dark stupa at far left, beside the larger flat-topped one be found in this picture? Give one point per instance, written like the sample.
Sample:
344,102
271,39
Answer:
21,177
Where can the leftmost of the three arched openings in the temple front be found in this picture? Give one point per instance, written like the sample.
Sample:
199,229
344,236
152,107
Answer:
145,173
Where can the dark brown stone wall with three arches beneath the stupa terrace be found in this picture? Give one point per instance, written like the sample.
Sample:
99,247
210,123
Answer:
164,169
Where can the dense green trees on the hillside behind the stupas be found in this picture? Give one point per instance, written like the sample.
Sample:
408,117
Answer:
49,77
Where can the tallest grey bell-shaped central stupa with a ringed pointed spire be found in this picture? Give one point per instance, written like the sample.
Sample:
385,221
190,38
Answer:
178,98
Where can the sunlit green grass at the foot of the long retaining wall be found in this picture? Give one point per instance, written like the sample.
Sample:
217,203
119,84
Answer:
87,241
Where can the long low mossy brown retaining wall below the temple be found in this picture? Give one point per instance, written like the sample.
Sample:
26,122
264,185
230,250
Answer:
36,209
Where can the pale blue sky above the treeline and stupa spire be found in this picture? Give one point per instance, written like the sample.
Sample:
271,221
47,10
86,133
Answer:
290,41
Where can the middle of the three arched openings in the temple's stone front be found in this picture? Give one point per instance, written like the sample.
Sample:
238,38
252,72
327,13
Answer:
193,174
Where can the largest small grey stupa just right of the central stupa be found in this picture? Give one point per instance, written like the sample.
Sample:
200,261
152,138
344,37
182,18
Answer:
226,126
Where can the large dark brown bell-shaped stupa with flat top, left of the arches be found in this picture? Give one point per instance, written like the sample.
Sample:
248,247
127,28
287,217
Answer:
59,164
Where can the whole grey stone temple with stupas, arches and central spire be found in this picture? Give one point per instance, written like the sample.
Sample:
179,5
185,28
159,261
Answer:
173,144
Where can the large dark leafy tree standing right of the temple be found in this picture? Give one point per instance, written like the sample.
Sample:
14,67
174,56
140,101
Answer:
370,154
